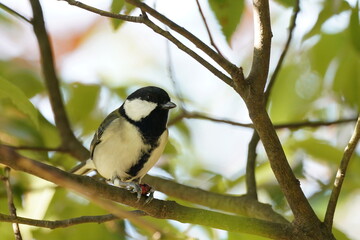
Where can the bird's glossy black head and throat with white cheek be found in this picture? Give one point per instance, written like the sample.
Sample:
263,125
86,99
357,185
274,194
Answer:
147,108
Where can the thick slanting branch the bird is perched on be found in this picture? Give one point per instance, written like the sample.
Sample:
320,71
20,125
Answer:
156,208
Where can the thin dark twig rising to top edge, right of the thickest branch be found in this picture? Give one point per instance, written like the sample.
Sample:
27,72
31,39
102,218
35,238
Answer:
292,26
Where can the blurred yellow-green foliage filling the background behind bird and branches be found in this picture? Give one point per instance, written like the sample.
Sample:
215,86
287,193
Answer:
320,80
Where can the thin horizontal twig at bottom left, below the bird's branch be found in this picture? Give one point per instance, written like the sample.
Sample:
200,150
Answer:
63,223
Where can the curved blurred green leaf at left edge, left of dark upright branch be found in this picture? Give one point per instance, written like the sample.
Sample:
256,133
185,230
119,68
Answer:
19,99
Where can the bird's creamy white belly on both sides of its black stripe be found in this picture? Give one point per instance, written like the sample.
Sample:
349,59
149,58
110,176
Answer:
120,149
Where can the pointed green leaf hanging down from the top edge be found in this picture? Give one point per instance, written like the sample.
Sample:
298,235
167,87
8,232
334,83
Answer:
228,14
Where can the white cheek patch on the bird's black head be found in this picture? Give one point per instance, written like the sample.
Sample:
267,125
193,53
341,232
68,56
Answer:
137,109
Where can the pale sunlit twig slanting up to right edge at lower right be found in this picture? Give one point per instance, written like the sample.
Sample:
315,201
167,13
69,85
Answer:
340,175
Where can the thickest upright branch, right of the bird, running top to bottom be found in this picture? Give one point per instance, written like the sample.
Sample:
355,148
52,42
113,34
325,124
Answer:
253,95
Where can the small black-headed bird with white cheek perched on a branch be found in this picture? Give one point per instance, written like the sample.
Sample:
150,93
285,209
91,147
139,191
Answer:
130,140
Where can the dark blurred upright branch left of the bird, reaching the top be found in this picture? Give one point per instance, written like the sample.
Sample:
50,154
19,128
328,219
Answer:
52,82
